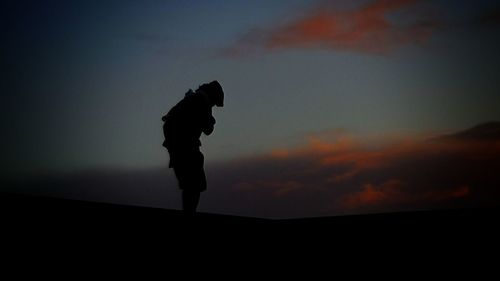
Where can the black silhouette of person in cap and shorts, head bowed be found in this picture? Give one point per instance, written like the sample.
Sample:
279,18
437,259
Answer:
182,129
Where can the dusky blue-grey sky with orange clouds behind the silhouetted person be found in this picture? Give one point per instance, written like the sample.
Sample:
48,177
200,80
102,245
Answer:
337,85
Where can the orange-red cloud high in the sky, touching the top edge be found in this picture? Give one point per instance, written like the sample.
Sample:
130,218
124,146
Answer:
364,29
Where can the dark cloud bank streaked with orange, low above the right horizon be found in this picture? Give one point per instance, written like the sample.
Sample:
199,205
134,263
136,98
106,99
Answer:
343,174
